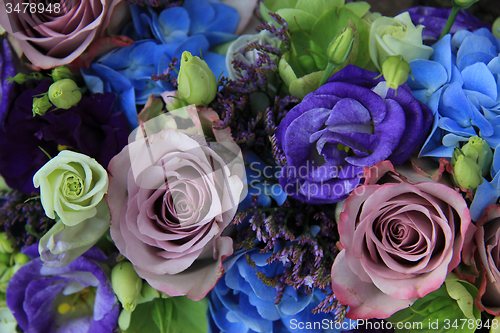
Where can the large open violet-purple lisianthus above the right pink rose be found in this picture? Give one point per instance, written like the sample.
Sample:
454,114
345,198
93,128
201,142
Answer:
351,122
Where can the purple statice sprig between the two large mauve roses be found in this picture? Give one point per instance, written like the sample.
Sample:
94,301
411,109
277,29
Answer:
306,237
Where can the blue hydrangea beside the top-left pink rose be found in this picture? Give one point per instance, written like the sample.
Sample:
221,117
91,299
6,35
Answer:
197,27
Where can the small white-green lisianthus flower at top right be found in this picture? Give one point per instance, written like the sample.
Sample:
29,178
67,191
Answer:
398,35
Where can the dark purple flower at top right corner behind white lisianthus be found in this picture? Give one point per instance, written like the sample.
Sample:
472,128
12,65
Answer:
434,20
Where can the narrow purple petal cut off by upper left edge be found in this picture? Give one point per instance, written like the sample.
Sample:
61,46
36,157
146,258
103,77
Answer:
6,69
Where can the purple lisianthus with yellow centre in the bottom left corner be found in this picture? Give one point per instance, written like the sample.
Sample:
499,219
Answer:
74,298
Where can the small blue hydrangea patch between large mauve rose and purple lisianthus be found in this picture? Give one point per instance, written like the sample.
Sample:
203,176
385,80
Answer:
261,181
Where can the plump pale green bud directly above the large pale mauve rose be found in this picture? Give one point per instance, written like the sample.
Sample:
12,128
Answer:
197,83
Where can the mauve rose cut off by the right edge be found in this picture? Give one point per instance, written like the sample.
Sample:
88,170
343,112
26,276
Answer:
486,239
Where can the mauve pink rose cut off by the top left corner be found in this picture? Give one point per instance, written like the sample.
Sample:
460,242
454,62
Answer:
56,35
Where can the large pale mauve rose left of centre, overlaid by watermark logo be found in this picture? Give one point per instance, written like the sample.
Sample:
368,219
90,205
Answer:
171,197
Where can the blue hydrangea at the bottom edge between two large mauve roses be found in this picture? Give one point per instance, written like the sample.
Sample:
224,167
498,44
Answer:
241,302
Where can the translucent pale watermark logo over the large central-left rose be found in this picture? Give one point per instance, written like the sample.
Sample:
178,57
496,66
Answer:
171,153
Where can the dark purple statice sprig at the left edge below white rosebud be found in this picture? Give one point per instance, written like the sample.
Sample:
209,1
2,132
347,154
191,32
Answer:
22,217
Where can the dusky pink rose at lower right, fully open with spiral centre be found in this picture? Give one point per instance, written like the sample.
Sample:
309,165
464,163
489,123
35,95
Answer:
400,238
